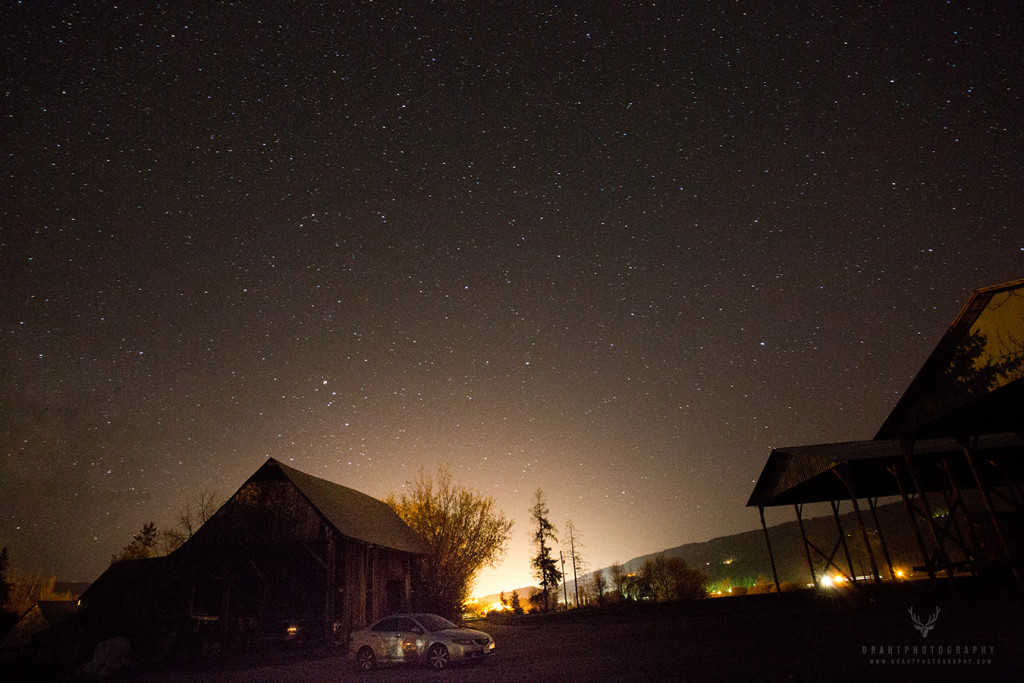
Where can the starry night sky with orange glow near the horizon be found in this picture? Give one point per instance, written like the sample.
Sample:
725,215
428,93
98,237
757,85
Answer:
615,253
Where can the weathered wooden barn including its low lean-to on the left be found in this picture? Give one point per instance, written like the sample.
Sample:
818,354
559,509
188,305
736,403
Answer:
289,558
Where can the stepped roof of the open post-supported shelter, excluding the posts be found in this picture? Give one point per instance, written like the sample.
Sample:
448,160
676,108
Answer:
972,385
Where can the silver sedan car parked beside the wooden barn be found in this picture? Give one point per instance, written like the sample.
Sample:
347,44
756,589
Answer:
426,638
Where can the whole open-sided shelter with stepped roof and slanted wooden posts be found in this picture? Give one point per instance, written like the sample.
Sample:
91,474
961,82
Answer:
953,450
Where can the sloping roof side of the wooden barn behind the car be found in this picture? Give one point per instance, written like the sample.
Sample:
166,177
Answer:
354,515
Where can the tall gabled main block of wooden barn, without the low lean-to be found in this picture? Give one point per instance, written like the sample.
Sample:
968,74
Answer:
296,557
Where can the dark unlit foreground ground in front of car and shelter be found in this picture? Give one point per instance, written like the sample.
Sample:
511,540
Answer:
977,636
